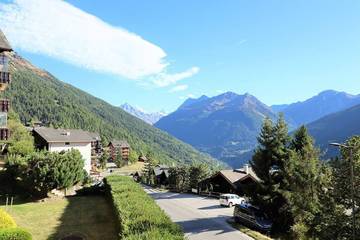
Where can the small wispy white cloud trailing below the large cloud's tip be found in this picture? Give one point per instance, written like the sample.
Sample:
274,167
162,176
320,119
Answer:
165,79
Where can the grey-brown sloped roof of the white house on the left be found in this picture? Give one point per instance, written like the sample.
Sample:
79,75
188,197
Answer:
52,135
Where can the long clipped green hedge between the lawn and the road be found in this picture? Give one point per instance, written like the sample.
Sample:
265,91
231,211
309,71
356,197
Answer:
138,214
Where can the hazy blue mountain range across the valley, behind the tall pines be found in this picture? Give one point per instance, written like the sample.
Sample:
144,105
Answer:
226,126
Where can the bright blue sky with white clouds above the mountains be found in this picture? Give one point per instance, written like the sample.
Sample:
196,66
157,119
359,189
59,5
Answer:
279,51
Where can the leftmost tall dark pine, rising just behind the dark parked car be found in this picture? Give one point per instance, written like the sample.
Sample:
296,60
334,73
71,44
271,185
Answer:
268,163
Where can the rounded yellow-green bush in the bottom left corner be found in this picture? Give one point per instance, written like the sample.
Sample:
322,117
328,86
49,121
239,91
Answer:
8,229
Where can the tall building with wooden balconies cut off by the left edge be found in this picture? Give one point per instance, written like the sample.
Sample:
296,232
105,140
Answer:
5,79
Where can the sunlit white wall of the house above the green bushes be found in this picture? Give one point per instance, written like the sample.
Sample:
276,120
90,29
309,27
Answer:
84,148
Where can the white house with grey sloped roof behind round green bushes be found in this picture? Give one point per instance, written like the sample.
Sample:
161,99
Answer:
57,140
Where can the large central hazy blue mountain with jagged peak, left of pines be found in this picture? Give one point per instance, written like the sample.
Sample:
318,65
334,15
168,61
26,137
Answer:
224,126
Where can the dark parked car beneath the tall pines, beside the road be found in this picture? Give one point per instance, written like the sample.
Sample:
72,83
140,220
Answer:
252,217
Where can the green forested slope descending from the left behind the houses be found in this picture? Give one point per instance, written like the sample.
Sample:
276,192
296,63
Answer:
37,95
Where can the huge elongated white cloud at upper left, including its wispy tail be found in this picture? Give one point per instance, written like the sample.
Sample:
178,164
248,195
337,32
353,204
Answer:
57,29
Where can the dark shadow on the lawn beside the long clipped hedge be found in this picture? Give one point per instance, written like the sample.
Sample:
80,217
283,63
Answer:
87,217
